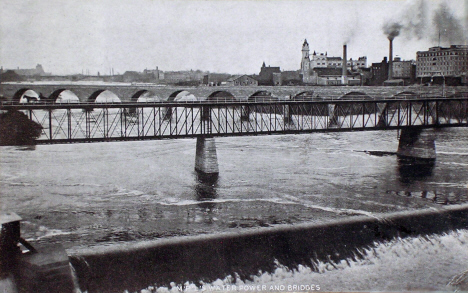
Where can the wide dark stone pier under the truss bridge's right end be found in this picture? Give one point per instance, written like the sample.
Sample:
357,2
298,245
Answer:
417,143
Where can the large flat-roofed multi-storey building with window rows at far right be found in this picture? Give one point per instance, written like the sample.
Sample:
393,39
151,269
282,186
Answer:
446,63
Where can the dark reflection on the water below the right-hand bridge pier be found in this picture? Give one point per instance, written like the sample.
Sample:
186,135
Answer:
414,169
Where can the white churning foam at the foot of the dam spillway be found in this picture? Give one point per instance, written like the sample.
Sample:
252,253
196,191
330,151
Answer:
436,262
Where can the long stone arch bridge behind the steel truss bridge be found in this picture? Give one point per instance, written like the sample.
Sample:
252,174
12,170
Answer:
85,93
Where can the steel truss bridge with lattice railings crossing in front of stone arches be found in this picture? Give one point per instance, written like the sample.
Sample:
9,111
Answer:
93,122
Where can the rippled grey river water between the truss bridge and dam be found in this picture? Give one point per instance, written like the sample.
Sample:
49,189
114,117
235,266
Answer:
83,195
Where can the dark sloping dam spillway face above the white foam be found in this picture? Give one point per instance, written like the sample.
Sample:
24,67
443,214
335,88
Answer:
209,257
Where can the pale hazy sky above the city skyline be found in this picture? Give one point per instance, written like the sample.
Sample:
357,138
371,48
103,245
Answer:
68,36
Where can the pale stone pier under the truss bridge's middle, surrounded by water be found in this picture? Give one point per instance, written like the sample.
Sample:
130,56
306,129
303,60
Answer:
206,160
